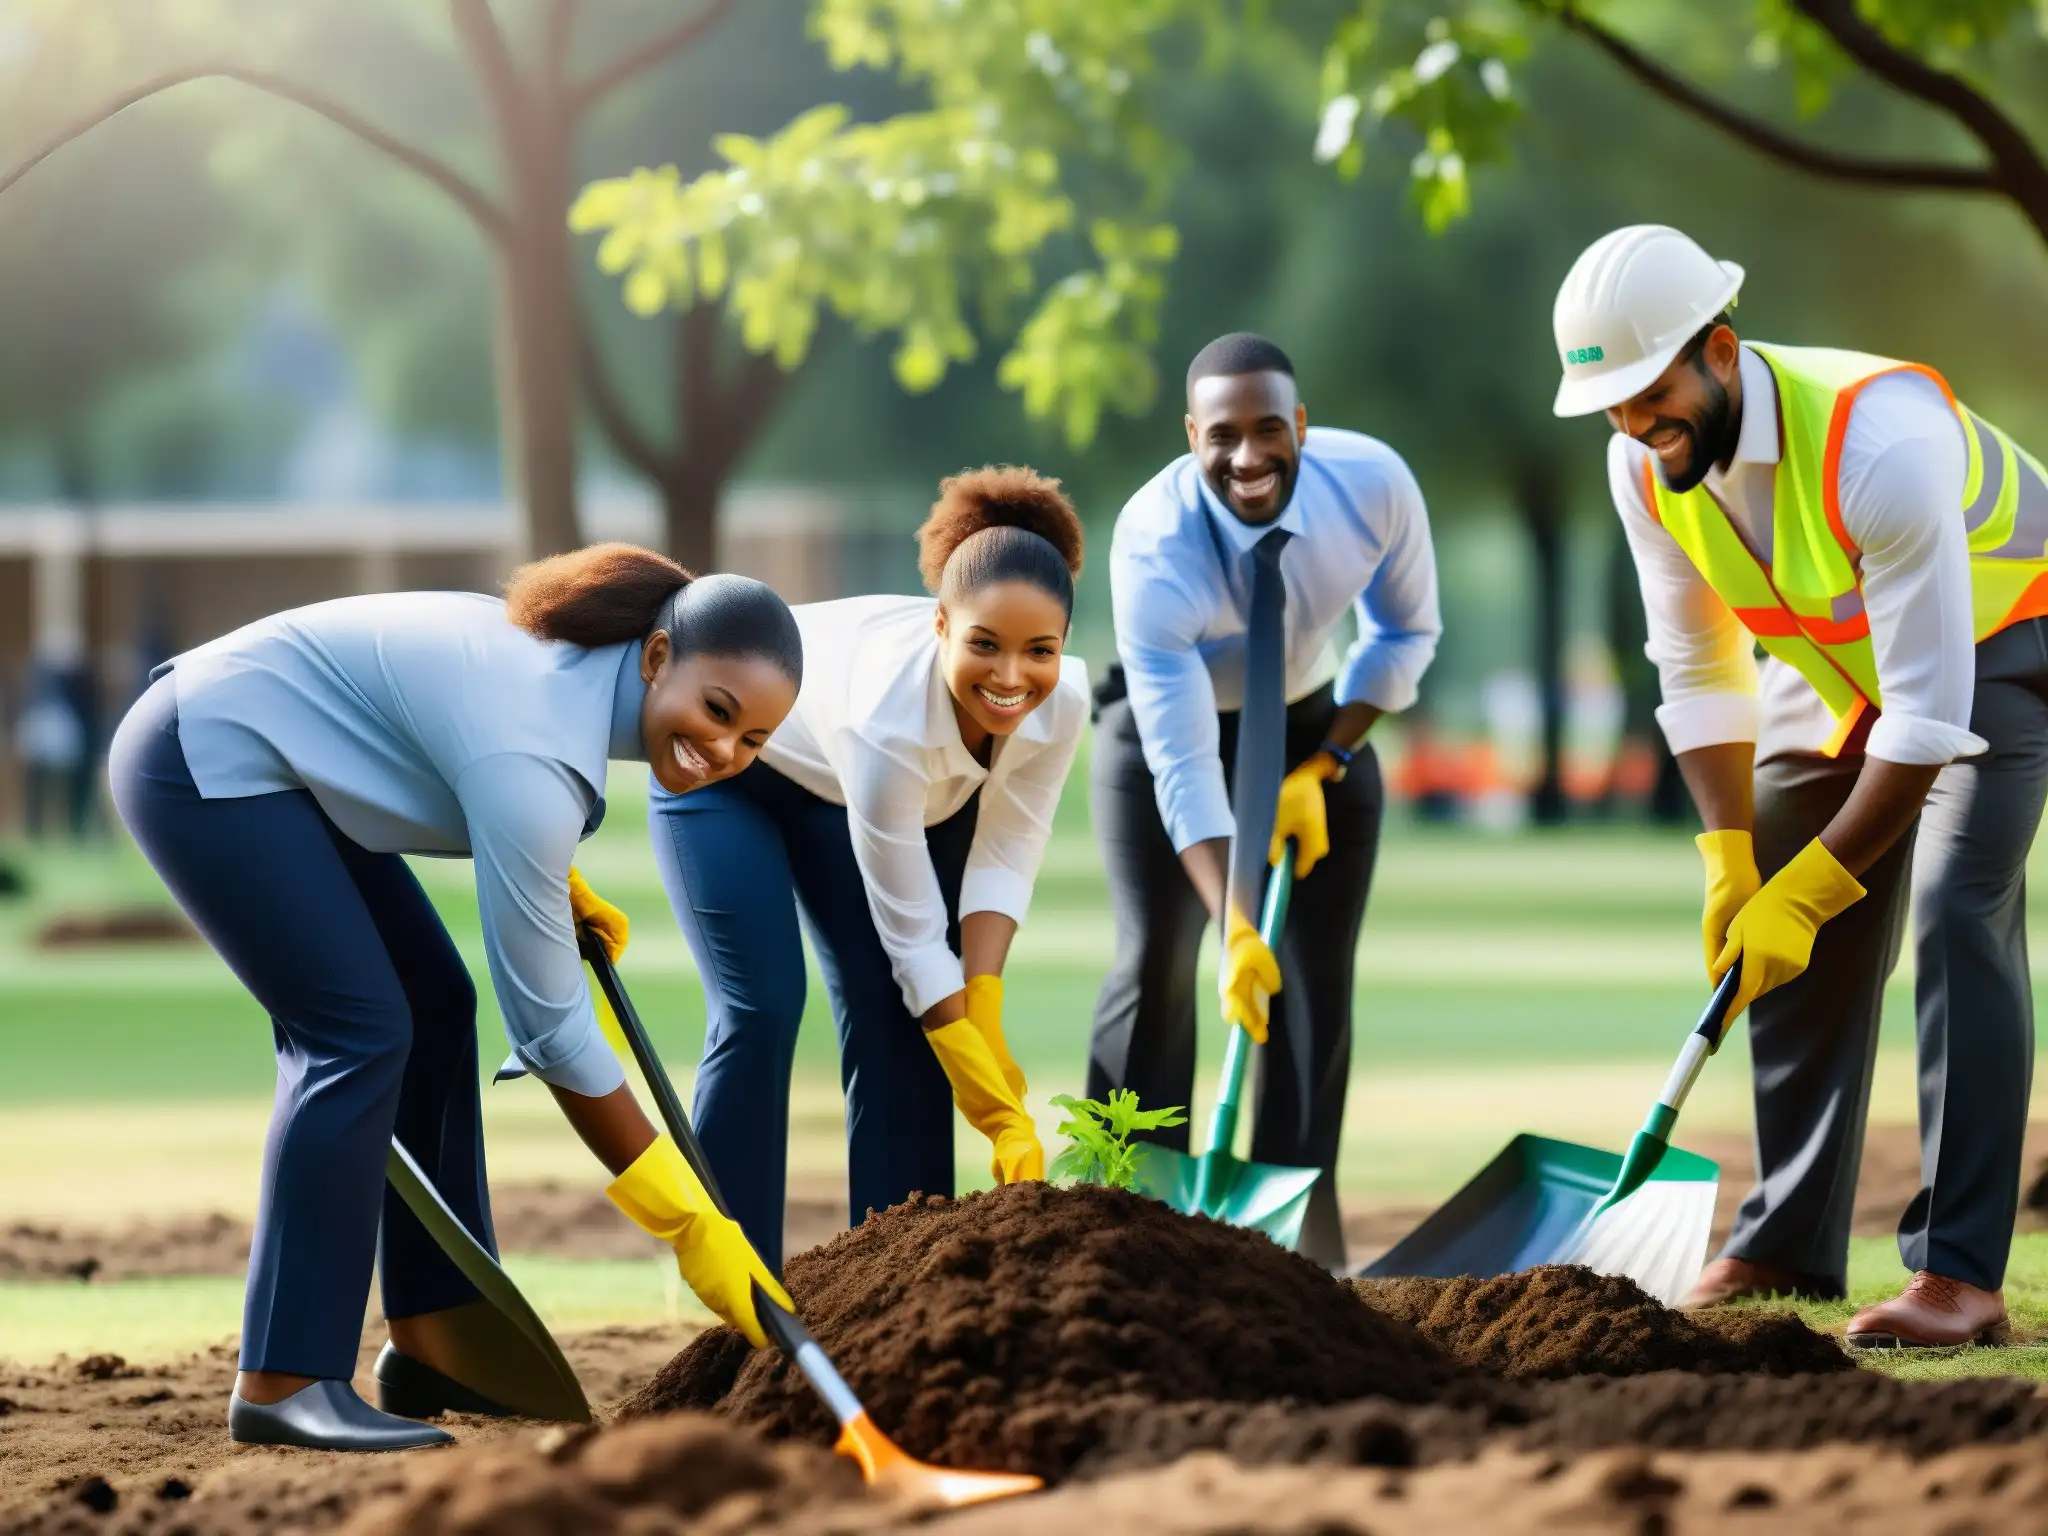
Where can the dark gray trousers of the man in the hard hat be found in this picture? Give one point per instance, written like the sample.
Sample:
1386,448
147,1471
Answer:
1816,1039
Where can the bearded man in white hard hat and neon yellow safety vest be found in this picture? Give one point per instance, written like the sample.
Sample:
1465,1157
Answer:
1889,552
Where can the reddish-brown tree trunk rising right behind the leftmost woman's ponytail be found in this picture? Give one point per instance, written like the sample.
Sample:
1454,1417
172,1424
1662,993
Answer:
540,345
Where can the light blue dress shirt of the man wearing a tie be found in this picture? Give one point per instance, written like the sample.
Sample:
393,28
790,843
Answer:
1181,593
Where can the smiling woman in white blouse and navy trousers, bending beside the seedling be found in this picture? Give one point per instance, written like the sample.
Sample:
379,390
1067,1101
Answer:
902,810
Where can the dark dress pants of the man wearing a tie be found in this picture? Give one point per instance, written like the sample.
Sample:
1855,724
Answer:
1146,1017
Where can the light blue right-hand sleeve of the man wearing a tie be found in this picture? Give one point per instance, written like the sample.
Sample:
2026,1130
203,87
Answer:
1398,613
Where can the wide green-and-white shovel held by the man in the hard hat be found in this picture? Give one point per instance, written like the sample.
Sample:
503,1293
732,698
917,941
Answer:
1646,1215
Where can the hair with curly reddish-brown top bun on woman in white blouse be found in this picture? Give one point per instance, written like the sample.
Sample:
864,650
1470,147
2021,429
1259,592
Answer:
1002,523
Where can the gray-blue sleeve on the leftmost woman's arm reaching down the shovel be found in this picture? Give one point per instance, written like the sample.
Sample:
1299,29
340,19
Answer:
525,818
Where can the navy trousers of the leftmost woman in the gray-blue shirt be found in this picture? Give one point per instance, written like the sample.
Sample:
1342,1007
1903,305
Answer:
376,1029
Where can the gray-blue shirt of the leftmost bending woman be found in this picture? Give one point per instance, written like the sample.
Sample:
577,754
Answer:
427,724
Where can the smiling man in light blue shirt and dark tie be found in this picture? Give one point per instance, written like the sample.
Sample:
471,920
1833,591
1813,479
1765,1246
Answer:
1351,529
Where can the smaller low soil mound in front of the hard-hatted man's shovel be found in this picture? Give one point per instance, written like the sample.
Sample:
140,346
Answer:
1564,1322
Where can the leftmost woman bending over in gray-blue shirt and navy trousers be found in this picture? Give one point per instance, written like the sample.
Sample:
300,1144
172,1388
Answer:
278,775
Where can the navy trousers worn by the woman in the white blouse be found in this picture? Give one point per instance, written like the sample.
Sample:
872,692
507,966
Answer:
744,861
